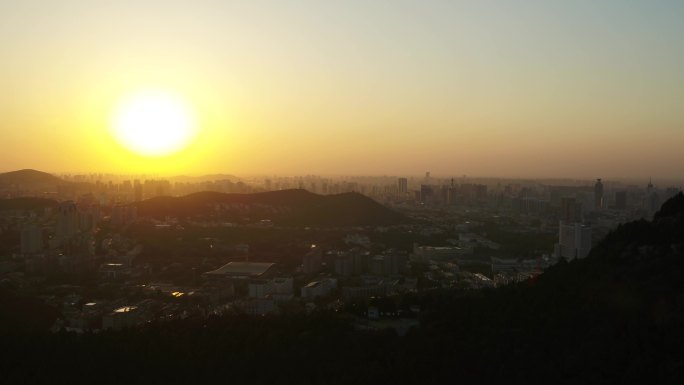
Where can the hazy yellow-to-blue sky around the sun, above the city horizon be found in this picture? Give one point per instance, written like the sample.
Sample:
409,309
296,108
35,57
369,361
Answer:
511,88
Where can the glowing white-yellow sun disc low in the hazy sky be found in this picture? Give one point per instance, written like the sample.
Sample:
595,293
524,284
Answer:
154,123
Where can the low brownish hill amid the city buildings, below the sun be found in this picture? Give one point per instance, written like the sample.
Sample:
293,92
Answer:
285,207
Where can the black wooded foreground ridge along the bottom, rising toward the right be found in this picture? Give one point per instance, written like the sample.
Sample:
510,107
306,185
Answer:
616,316
